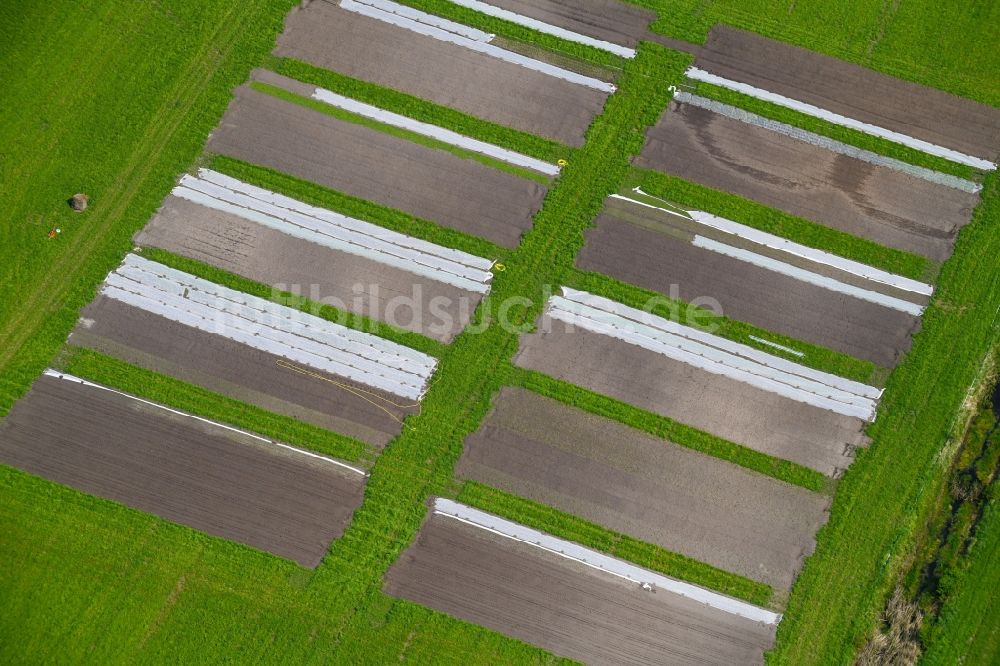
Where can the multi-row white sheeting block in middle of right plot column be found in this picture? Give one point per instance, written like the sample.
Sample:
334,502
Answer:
716,355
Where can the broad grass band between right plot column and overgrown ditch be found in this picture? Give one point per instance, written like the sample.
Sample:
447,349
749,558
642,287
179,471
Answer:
887,494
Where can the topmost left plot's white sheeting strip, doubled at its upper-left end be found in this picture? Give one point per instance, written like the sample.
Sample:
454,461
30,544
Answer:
404,17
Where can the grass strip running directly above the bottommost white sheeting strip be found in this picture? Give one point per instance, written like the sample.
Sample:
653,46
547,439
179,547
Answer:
591,535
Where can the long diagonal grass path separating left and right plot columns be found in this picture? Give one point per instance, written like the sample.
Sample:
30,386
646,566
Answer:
419,463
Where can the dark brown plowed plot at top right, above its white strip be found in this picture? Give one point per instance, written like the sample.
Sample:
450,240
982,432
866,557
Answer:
853,91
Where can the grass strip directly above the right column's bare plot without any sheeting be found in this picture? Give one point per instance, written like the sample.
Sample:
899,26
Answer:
666,428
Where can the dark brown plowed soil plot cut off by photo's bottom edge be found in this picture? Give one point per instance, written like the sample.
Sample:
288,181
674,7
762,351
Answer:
565,607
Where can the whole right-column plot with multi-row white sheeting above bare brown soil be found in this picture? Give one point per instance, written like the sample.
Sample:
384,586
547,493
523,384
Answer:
729,390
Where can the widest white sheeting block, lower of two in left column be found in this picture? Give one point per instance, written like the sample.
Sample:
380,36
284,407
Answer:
270,327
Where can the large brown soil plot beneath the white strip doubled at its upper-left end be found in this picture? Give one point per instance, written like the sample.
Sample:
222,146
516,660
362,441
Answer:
478,84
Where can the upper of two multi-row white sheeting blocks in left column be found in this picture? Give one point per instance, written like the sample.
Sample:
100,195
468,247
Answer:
336,231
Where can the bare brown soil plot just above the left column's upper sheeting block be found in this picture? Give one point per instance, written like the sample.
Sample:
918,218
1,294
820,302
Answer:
433,184
